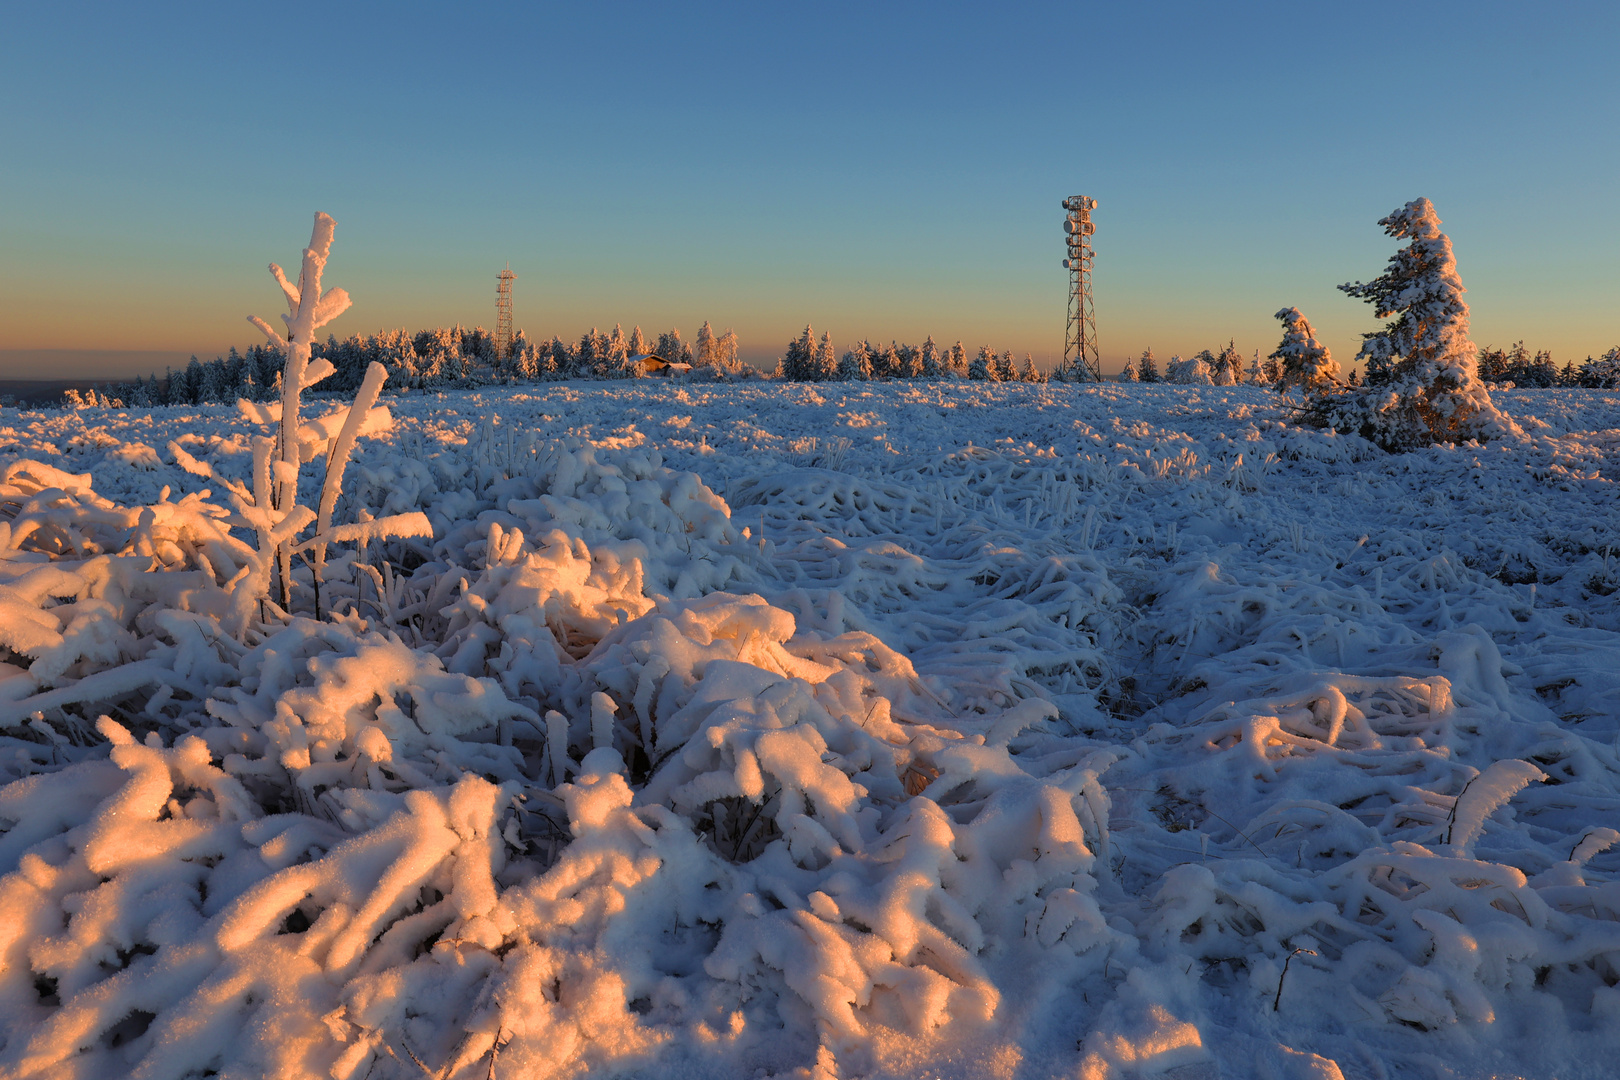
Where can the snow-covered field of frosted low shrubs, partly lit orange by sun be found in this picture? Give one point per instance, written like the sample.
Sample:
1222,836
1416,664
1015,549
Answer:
861,729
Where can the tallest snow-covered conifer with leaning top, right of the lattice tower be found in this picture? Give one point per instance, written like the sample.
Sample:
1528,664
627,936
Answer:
1435,393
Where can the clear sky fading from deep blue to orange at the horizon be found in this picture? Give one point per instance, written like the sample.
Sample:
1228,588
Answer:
882,171
